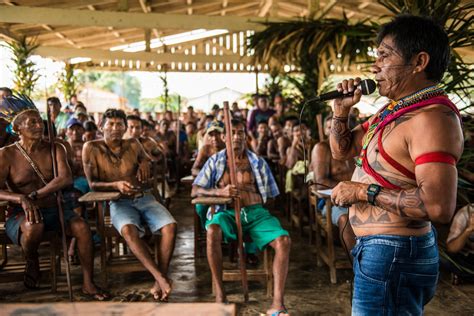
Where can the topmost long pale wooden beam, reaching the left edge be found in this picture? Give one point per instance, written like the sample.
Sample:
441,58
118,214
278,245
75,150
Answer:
51,16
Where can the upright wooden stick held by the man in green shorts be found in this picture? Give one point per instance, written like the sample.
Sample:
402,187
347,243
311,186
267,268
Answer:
233,181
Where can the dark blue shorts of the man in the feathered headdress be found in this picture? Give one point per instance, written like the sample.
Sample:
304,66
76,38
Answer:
16,216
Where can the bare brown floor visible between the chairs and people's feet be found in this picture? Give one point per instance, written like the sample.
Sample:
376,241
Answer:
308,290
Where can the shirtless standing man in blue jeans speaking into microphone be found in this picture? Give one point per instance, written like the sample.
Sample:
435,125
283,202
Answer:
407,174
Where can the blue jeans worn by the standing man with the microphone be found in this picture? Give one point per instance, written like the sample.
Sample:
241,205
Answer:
394,275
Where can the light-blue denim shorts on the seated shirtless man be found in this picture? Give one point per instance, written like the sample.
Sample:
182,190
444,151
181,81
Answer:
140,211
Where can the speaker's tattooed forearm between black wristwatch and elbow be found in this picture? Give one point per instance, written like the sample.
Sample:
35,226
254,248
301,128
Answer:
404,203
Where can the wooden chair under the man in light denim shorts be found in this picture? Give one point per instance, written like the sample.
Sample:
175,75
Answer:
114,255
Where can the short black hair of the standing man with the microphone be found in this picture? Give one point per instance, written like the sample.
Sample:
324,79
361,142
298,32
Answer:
414,34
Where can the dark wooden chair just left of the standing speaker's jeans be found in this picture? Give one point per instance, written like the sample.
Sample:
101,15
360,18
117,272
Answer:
324,228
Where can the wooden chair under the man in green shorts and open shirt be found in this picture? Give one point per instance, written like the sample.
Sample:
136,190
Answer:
264,274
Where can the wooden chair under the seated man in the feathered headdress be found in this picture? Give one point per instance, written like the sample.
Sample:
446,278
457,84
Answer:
12,272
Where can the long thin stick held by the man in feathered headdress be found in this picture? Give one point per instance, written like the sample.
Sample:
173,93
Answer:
59,198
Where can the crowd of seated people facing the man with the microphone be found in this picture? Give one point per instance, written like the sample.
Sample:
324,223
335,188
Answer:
268,134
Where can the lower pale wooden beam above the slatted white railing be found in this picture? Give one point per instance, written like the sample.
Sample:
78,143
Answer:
98,55
